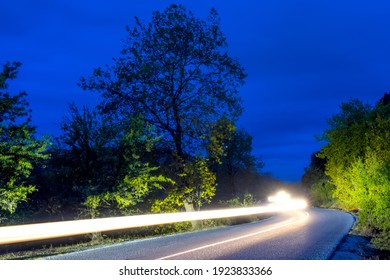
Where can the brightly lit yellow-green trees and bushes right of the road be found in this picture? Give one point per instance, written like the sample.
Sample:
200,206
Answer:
352,171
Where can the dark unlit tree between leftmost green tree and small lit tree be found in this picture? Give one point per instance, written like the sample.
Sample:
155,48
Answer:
83,162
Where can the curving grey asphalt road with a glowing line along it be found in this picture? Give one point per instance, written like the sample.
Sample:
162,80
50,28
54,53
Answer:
310,234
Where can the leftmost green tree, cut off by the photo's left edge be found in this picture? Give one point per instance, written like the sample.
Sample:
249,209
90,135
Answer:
20,151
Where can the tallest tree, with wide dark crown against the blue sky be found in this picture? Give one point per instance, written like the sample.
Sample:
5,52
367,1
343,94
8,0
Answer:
176,72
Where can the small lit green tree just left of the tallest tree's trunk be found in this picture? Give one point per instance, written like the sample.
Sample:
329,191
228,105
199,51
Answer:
138,179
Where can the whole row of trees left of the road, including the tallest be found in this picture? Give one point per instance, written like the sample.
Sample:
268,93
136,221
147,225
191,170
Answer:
162,139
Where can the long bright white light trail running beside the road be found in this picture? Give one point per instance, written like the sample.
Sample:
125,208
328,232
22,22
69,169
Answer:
23,233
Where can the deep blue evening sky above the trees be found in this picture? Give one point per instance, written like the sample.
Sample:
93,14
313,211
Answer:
303,58
